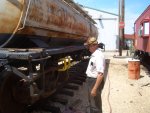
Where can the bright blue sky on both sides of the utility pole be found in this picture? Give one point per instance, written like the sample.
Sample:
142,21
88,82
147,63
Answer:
133,9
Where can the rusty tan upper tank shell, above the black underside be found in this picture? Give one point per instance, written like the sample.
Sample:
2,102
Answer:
48,18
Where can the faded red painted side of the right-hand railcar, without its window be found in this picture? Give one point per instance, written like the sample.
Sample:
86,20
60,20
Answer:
141,42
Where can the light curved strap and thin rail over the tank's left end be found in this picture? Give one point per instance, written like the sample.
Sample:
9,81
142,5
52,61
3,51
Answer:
17,27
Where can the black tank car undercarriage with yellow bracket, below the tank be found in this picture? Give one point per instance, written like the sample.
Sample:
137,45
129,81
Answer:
28,75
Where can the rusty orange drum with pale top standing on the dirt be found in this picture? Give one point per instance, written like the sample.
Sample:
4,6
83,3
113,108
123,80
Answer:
134,69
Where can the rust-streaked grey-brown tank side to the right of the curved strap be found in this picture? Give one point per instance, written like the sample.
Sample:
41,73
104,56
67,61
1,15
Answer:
57,16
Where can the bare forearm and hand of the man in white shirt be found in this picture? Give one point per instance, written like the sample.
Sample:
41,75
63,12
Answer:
97,84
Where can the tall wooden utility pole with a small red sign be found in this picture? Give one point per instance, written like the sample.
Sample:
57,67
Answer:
121,26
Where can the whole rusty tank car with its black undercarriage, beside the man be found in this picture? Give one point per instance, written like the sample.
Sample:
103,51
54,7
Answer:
39,40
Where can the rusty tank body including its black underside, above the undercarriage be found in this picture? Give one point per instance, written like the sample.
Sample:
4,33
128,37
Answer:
53,21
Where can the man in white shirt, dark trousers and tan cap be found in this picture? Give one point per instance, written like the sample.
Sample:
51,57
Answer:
95,72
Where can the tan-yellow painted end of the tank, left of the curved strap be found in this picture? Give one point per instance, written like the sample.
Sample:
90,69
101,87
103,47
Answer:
10,12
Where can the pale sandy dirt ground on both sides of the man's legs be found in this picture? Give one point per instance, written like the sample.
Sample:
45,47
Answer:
120,94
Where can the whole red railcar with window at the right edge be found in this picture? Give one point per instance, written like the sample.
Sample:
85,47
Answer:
142,35
